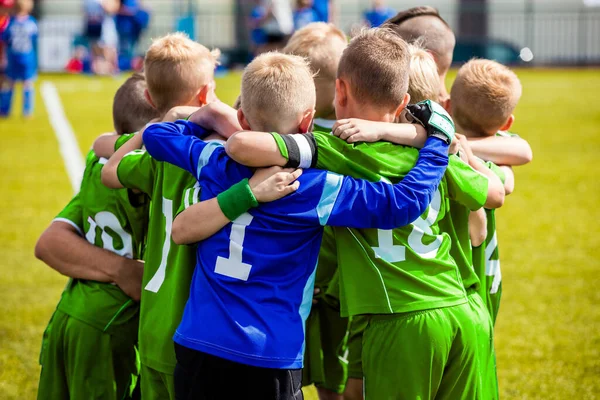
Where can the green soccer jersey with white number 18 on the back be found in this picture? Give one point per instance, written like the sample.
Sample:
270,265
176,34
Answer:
405,269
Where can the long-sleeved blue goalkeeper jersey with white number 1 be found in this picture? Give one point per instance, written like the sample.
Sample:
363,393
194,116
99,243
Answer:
252,287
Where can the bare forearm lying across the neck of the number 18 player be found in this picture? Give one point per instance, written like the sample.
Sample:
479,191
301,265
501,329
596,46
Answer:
357,130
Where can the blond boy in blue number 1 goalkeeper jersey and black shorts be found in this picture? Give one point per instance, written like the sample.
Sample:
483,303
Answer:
254,278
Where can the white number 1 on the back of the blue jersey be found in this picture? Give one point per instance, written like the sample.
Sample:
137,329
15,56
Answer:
233,266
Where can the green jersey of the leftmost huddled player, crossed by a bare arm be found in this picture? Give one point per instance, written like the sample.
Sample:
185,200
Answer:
114,220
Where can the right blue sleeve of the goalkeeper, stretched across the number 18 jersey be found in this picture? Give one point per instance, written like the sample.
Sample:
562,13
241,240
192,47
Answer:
361,204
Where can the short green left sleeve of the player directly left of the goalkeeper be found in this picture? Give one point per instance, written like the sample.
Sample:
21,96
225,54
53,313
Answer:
137,170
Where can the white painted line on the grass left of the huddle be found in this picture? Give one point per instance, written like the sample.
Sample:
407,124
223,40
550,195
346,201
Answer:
67,142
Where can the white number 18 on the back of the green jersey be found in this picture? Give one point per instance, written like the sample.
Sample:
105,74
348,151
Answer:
391,253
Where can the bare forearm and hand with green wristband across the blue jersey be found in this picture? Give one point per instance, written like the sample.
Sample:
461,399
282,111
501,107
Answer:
204,219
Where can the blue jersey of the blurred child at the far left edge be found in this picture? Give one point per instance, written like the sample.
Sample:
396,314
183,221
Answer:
20,37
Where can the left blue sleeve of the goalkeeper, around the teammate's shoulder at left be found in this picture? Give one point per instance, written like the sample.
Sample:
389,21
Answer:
177,143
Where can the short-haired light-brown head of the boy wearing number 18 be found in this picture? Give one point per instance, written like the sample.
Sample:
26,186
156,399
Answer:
376,64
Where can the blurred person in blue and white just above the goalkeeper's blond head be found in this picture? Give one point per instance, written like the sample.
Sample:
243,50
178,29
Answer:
271,23
